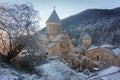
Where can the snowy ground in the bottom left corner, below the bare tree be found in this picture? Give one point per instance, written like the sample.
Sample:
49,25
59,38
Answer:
8,73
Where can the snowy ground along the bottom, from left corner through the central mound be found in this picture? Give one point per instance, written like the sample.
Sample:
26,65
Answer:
53,70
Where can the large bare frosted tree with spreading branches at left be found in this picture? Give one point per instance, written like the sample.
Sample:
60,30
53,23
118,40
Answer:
18,22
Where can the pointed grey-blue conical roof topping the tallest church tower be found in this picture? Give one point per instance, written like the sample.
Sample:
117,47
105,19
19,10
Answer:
54,17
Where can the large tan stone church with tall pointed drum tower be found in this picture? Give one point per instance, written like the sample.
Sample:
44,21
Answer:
56,43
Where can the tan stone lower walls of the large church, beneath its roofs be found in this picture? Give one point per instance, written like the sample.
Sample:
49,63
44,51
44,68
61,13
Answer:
57,49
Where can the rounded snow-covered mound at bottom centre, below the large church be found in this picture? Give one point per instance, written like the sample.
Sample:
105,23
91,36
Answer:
56,70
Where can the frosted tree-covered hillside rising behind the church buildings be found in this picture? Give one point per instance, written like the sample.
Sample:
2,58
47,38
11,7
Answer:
103,25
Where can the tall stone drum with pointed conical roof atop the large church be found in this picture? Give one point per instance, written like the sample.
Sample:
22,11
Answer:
53,27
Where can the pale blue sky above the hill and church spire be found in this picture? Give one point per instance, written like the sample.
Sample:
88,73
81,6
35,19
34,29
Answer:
65,8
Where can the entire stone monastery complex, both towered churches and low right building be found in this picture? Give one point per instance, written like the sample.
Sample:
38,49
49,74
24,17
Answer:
57,43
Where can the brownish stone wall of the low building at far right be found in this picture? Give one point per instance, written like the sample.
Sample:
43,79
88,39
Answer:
106,59
